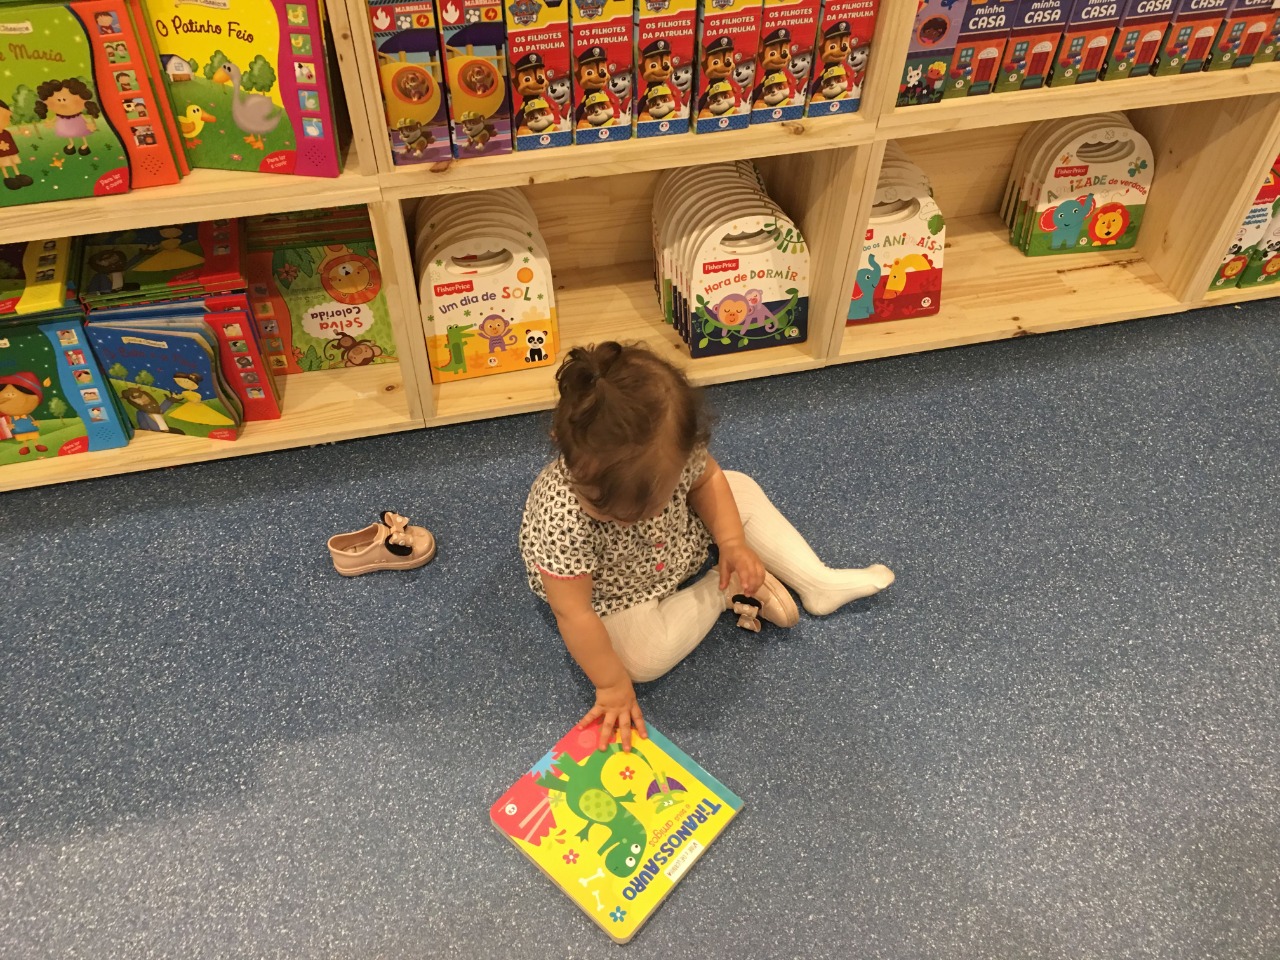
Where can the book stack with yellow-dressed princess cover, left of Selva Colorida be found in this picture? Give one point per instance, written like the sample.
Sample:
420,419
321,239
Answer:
170,322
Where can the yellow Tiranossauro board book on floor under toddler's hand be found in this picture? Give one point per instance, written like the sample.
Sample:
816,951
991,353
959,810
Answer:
615,831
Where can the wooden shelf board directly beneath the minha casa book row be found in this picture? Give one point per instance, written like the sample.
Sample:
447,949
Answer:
1030,106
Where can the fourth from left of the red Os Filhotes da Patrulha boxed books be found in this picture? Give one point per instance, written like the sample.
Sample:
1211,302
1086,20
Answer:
729,39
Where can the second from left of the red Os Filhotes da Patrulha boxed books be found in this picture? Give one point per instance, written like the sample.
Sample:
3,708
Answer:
604,70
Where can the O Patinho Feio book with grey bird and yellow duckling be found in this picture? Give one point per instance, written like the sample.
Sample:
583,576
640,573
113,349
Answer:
249,81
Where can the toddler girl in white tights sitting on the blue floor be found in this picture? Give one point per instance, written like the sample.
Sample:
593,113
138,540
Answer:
628,513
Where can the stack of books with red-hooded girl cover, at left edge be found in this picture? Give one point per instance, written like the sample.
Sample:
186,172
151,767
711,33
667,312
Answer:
54,400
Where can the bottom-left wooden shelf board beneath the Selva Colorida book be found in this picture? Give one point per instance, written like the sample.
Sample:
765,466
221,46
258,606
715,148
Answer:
321,408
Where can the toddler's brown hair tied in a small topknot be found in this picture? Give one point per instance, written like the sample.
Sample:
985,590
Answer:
624,415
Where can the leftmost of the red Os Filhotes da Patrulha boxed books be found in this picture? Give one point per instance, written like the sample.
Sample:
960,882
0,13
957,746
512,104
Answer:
542,84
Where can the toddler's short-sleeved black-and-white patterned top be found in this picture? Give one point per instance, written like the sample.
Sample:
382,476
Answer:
629,564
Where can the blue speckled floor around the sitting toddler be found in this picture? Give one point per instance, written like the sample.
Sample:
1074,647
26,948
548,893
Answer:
1057,737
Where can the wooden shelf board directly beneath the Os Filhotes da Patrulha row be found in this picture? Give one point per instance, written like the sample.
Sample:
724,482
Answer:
629,157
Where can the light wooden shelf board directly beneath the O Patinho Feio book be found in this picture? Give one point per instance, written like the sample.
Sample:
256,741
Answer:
205,195
